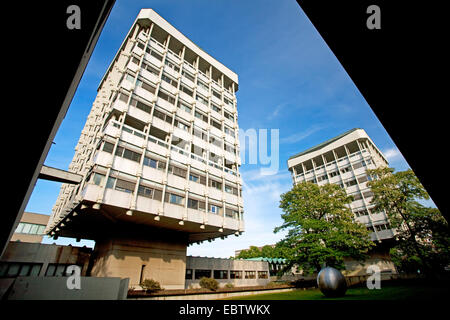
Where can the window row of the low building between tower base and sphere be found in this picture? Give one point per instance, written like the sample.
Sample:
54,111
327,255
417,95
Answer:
224,274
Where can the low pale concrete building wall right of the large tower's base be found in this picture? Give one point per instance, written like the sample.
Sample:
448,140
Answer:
205,263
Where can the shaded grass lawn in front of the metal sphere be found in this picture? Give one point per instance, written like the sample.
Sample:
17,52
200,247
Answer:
387,292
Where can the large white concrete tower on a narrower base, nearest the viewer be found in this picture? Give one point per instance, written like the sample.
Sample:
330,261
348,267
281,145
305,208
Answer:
159,156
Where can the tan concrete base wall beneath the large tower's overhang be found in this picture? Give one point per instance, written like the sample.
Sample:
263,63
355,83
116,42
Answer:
164,261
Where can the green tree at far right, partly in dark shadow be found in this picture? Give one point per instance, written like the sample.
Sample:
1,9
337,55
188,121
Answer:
422,238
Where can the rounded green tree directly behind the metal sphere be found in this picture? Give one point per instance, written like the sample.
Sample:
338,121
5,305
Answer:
321,228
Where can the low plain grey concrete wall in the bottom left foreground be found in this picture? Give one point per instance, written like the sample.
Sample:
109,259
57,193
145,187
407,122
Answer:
55,288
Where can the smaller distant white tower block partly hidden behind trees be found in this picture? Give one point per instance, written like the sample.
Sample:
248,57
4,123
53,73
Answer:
344,160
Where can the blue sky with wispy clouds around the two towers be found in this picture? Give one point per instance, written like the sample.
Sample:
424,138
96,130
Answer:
288,80
